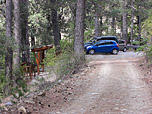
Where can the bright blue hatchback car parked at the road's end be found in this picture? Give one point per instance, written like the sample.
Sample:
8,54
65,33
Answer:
103,46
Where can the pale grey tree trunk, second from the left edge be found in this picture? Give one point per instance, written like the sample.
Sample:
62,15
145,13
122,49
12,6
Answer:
17,33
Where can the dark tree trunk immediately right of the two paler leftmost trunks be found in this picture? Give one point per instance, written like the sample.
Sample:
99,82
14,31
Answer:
24,31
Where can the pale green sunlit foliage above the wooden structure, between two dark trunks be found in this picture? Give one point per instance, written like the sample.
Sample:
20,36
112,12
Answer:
39,25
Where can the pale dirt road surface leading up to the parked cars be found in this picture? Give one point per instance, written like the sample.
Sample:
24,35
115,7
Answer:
114,86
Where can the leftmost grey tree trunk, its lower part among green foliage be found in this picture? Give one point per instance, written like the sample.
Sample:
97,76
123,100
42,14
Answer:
8,52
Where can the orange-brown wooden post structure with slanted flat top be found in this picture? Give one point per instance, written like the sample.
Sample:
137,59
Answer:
40,56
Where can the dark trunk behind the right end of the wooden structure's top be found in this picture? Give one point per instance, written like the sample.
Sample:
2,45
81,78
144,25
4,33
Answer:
56,31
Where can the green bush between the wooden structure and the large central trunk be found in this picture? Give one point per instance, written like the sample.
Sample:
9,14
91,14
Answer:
63,64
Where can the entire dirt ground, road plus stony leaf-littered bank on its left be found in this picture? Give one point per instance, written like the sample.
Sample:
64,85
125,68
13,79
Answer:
110,84
